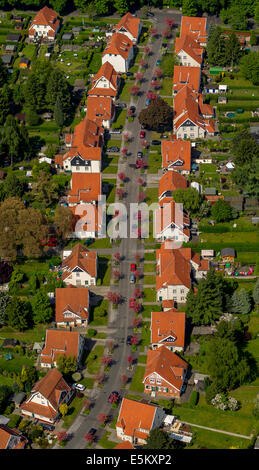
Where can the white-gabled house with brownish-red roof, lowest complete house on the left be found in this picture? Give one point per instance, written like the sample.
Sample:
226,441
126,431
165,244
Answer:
46,397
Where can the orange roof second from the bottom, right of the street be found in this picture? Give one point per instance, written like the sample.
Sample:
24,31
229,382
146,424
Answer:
168,365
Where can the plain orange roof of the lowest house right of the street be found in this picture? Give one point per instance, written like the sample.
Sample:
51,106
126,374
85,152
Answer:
135,415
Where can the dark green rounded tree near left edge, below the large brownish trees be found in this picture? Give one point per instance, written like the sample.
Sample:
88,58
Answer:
18,314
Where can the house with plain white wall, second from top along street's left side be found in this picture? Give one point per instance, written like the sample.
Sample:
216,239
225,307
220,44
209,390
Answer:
119,52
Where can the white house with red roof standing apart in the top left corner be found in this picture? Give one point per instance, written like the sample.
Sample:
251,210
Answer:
45,25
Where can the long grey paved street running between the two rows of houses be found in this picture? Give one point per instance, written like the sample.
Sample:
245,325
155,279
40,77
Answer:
120,320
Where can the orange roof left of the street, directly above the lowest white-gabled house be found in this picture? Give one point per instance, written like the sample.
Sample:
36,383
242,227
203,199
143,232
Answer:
59,343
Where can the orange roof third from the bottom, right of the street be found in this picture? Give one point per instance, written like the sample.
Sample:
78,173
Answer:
167,324
